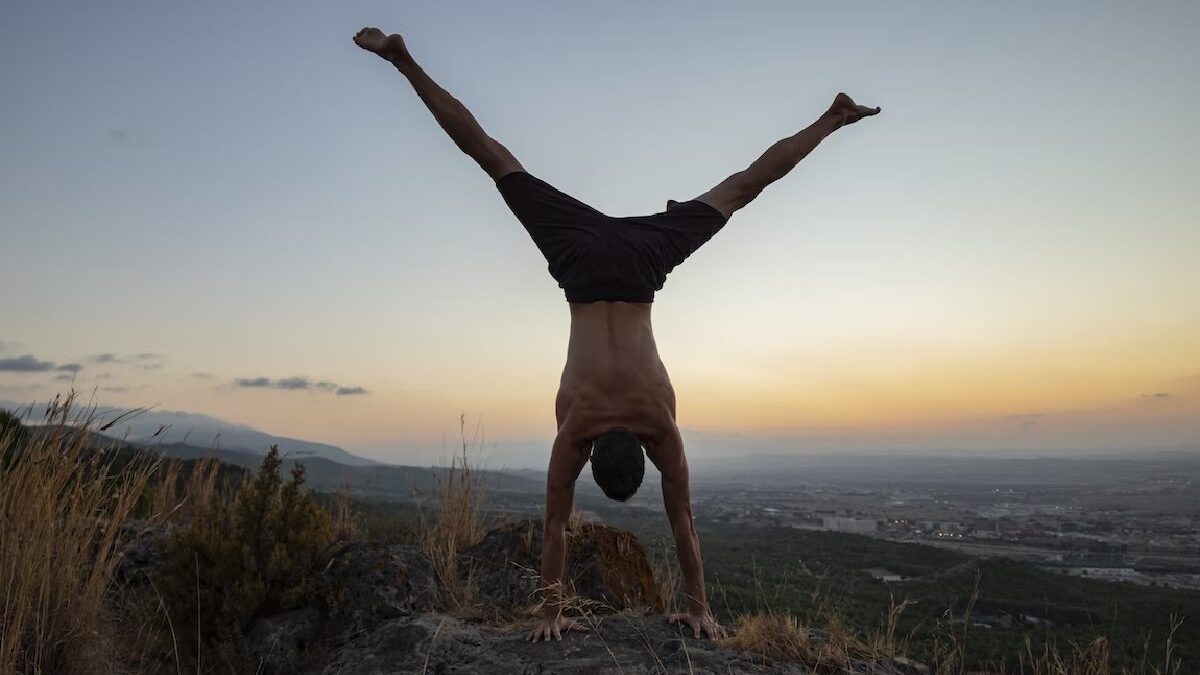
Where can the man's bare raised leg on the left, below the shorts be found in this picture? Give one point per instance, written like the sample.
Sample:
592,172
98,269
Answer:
452,115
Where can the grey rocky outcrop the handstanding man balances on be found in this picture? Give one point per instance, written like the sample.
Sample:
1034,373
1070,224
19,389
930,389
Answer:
374,613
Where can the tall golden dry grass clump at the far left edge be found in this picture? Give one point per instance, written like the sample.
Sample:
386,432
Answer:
61,518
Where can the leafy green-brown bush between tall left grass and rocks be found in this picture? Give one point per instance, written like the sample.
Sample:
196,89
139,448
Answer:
245,558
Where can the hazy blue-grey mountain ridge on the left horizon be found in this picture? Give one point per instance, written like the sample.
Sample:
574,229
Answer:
161,428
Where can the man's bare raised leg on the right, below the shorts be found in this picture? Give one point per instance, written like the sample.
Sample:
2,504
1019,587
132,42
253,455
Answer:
742,188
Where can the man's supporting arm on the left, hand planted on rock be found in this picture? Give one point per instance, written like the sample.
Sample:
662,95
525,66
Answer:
567,462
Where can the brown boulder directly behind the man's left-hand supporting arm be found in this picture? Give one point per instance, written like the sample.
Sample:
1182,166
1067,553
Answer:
608,566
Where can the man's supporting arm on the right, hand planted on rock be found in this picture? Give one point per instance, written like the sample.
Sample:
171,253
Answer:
673,464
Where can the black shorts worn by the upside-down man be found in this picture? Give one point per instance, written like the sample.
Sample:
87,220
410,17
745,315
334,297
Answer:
596,258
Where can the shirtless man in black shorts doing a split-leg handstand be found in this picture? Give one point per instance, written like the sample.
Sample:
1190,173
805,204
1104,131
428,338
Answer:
615,398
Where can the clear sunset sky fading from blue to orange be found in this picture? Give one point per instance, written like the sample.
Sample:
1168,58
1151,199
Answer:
229,208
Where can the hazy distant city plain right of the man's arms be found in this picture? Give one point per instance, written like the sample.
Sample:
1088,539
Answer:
1131,521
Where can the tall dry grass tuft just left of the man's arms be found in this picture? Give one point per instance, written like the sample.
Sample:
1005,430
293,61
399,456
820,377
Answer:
455,524
